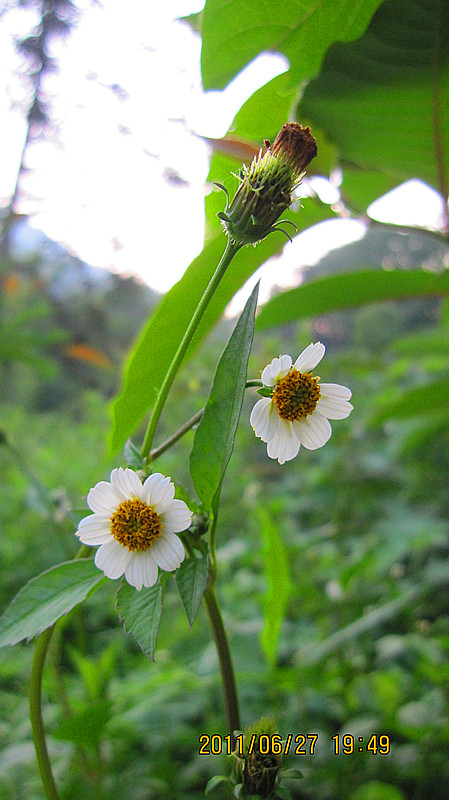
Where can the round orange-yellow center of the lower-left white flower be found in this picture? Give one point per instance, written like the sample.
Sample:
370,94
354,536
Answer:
135,525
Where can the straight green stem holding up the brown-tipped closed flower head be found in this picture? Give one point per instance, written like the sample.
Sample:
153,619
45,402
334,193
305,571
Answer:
228,255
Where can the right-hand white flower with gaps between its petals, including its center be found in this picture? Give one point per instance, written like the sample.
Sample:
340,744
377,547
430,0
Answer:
298,407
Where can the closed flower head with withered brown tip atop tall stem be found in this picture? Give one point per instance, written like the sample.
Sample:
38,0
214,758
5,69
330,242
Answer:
266,187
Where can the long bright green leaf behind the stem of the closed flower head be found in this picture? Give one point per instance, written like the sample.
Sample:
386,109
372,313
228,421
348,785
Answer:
152,355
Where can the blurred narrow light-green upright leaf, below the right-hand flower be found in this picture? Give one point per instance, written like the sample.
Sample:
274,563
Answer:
279,585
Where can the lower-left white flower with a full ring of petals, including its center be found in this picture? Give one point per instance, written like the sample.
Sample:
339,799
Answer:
135,525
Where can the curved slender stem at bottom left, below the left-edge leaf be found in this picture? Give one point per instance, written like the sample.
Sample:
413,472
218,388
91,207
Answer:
35,696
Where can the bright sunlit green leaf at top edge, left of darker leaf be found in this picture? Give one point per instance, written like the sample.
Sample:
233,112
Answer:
234,33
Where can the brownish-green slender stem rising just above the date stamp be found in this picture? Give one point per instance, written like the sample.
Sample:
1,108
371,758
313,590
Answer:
224,657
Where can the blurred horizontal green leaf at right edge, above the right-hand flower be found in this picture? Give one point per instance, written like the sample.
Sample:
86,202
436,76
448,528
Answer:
348,291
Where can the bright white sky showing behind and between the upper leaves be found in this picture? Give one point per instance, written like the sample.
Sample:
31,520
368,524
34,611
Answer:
121,182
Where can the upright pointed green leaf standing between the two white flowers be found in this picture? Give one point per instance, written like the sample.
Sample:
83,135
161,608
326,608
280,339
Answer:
215,435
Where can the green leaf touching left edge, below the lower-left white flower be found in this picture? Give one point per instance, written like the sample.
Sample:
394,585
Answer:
46,598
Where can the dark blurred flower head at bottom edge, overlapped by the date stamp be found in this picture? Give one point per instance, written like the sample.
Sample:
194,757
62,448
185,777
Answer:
257,764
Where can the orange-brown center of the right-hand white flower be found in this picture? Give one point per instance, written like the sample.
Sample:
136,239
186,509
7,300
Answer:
296,395
